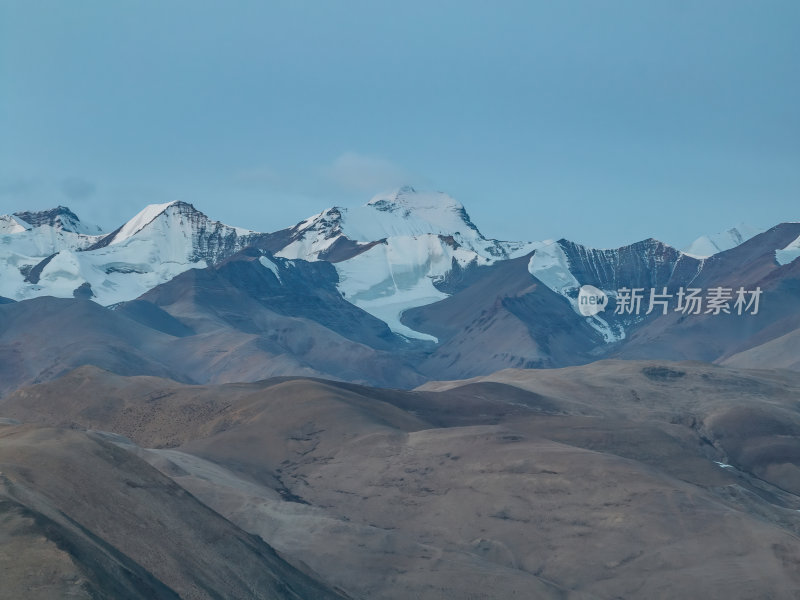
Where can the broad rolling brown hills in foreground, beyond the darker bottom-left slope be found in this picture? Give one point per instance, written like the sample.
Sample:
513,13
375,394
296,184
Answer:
616,479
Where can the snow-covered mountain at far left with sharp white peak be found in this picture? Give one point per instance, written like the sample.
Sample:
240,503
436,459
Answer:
156,245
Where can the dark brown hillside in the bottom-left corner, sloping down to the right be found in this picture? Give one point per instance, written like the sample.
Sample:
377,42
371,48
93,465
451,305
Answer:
84,518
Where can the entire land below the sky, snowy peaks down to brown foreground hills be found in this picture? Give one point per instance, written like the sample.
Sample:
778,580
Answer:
380,402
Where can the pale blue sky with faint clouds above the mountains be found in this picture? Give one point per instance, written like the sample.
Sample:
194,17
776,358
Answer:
604,122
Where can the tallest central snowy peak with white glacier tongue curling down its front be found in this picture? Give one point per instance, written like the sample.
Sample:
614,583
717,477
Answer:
396,251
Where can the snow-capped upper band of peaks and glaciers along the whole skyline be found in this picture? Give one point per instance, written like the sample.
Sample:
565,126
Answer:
402,250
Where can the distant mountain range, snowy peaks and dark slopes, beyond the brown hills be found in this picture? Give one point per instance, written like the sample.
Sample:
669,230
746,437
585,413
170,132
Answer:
402,290
